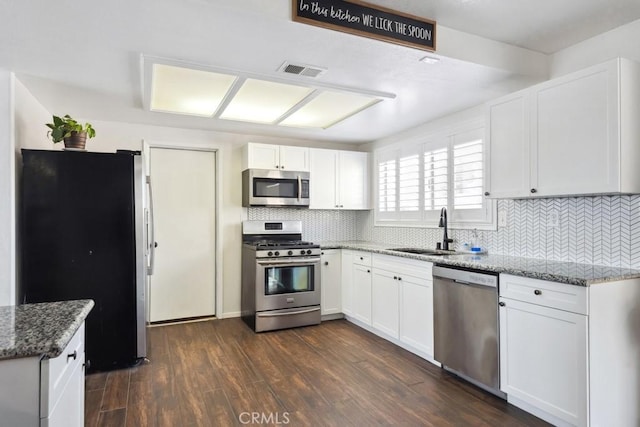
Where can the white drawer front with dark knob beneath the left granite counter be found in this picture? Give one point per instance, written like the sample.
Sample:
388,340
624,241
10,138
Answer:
55,373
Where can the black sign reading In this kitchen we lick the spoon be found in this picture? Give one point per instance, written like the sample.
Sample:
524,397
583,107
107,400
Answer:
363,19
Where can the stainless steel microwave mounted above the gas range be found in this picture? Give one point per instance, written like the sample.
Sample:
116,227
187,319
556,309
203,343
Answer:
261,187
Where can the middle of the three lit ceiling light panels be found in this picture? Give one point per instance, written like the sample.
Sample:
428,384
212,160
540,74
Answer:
262,101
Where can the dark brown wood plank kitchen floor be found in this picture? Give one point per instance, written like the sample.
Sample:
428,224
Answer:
220,373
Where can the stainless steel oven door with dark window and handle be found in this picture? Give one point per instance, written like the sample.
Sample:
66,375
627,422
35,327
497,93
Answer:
287,283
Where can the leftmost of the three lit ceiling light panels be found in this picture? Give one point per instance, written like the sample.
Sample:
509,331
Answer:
188,91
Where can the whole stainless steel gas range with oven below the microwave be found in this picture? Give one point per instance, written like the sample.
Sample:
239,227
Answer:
280,276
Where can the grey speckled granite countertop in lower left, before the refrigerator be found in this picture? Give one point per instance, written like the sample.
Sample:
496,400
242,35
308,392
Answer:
42,329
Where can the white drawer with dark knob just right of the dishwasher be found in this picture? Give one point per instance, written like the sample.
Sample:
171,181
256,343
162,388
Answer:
548,294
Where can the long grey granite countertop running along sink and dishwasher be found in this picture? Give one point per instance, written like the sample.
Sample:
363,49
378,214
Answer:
564,272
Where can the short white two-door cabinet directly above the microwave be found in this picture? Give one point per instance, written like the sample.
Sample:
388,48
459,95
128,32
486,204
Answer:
275,157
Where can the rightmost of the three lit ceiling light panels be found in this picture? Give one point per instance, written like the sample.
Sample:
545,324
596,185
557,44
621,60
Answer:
329,108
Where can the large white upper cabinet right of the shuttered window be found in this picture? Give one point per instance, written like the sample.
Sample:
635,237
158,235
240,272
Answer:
574,135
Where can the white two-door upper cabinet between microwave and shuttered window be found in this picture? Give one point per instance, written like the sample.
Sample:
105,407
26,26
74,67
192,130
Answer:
339,179
